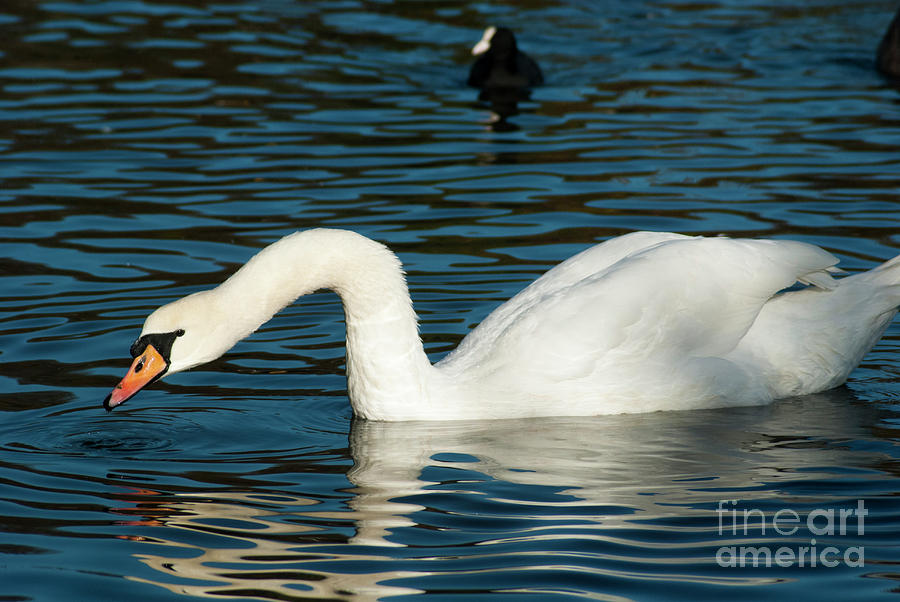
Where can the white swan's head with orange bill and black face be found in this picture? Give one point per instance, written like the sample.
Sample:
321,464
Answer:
175,337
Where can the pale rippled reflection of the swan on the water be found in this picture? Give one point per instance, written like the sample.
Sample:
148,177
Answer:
628,486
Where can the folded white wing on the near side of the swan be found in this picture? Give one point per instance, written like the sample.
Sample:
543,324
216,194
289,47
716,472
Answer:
669,299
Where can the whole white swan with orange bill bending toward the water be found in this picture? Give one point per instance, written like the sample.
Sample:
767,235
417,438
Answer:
646,321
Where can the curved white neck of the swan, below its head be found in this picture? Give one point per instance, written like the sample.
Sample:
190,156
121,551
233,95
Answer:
386,364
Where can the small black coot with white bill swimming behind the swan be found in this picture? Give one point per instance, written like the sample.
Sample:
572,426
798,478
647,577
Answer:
501,64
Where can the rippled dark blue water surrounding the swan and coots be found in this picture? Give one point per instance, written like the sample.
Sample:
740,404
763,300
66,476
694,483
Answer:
148,149
